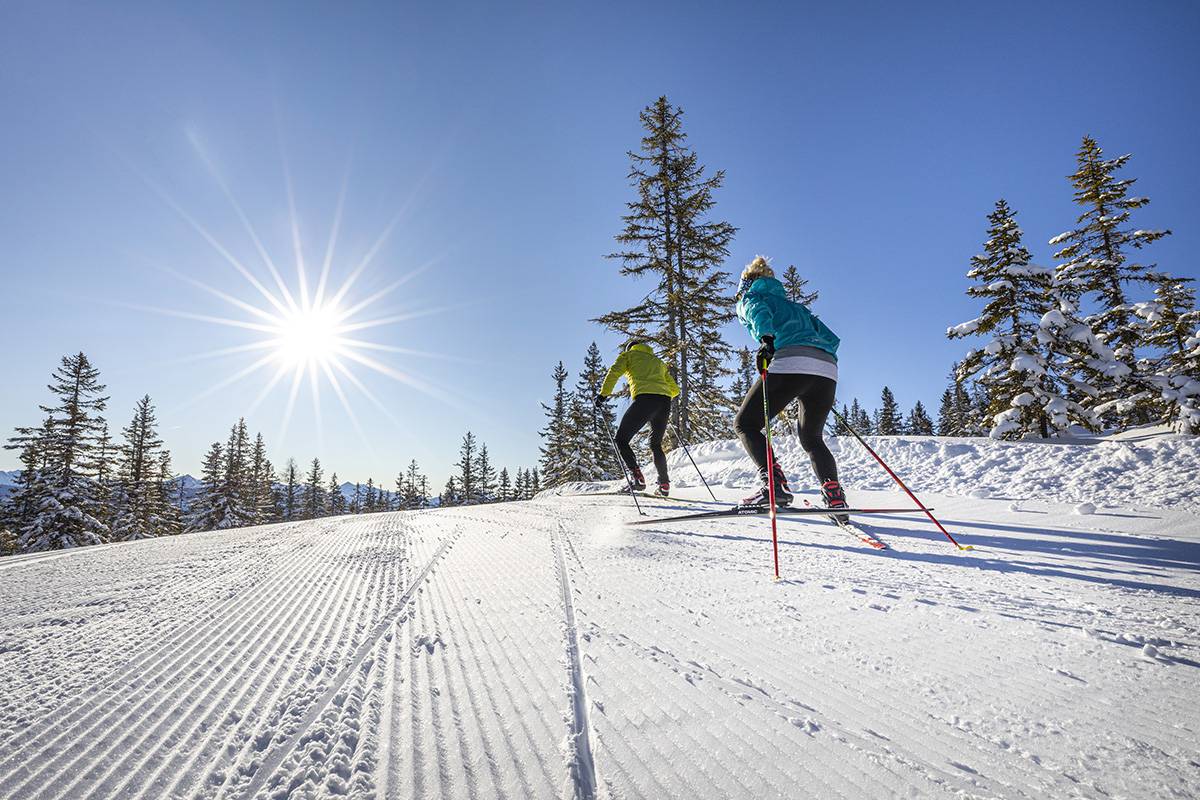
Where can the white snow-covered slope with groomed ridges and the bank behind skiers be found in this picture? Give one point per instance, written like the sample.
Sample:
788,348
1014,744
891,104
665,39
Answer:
543,651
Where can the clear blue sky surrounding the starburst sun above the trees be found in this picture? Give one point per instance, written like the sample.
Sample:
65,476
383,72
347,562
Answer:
863,142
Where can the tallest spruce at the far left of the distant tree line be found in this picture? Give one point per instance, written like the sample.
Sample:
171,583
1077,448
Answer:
63,506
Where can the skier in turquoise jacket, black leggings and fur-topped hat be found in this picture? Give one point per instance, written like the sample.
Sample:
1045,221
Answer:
799,360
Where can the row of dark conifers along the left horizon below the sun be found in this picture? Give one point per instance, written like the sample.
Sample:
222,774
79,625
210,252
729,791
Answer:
79,488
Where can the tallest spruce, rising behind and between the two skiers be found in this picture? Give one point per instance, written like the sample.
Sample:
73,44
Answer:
669,238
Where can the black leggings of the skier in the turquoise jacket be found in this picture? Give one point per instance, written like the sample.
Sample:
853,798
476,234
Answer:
817,396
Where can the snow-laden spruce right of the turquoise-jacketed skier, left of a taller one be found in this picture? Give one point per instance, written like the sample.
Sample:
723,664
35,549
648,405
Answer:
1017,368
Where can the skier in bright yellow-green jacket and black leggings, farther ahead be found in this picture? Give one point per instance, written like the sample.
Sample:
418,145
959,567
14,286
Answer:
652,388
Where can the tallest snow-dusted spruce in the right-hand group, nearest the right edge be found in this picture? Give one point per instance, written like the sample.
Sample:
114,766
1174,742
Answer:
1097,270
